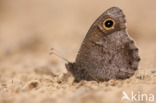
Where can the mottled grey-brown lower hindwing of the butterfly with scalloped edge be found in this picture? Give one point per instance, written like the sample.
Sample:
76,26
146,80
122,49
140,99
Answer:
114,57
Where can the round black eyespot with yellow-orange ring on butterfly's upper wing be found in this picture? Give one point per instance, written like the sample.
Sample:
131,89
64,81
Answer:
108,24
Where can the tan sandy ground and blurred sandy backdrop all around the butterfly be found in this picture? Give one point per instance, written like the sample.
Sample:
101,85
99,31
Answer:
28,29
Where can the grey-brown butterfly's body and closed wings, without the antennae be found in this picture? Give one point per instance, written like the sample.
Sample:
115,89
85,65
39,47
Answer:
107,51
